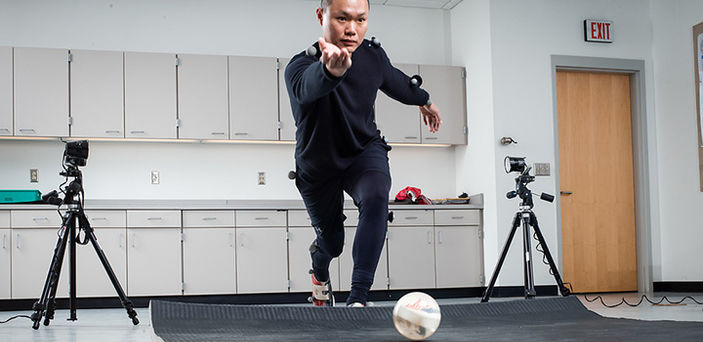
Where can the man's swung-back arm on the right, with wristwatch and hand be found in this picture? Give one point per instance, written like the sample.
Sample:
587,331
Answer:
396,85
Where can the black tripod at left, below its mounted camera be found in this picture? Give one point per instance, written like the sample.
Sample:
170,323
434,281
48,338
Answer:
68,236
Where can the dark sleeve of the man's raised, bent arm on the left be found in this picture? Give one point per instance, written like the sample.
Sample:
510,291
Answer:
308,80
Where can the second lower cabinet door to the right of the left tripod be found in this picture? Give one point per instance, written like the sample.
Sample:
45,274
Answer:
208,261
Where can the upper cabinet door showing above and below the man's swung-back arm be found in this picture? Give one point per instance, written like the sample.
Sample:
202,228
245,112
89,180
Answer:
398,122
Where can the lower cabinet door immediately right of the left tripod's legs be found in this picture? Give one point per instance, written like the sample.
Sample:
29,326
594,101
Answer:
153,261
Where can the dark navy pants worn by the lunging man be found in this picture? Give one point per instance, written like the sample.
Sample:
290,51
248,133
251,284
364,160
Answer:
367,180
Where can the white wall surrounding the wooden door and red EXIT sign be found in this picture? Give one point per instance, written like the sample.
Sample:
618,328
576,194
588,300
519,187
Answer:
523,36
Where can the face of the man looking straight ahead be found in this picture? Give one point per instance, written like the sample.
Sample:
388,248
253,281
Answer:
344,23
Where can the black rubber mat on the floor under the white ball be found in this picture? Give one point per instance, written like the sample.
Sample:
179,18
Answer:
550,319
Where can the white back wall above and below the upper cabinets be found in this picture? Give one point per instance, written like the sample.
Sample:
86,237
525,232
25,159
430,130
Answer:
279,28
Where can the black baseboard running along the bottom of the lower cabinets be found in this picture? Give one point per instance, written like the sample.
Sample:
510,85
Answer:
276,298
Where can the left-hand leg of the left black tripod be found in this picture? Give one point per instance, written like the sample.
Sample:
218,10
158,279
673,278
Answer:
46,303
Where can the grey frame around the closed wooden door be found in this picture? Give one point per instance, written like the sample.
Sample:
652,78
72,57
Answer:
640,150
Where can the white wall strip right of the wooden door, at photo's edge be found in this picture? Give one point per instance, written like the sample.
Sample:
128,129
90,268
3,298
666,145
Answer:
681,201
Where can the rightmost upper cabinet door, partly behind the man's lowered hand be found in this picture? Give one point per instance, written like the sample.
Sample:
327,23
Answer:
447,88
